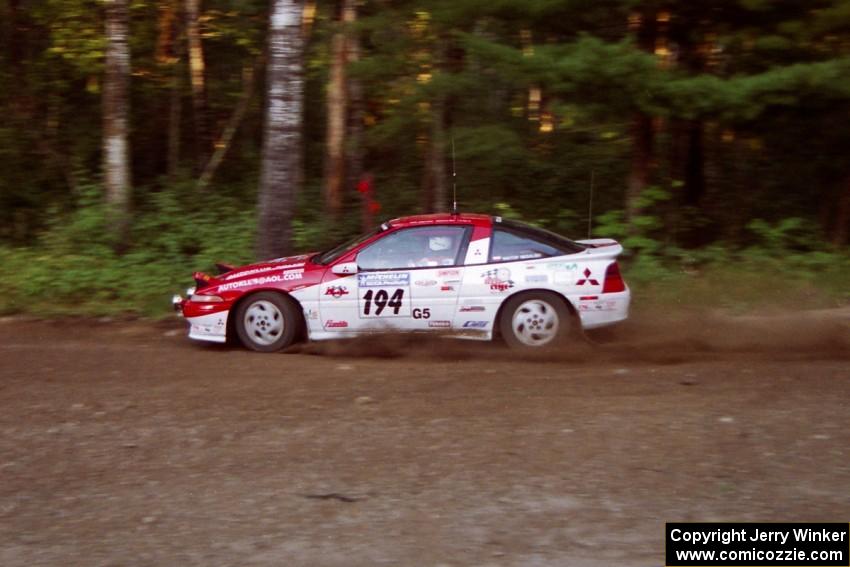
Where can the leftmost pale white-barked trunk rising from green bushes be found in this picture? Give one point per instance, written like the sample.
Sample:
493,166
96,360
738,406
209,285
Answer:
116,153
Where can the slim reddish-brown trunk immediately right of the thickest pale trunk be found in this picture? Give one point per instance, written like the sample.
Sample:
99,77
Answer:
336,118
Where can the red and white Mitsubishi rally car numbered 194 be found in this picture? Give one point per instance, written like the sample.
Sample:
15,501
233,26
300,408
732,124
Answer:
469,275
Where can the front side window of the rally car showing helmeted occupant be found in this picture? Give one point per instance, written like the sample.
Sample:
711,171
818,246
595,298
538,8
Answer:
418,247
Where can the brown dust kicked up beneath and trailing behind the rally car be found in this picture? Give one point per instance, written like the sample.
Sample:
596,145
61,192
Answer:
655,338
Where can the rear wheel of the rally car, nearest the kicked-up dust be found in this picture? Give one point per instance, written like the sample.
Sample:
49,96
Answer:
536,319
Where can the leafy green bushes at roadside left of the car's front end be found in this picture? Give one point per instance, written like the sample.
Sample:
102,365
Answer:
74,269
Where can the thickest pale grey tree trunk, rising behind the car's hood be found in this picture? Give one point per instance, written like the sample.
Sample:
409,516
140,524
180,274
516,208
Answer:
280,176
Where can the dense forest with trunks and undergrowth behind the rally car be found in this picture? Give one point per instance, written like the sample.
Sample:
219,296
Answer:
143,140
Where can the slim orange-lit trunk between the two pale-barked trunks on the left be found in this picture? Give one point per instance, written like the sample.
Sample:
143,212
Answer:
197,75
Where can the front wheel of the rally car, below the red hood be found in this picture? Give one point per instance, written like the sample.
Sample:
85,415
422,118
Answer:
267,321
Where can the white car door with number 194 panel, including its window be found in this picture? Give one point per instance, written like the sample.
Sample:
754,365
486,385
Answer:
408,280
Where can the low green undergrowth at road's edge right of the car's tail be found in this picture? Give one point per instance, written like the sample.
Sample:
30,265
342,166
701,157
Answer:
785,267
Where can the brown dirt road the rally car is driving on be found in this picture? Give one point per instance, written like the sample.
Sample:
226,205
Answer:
125,444
